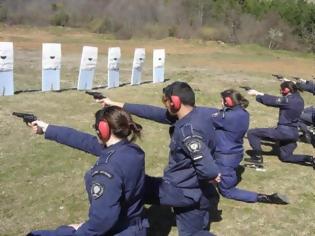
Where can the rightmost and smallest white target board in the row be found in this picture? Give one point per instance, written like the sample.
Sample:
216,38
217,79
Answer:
158,65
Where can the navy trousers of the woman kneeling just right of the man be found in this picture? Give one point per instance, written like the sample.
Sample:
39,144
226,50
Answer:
227,164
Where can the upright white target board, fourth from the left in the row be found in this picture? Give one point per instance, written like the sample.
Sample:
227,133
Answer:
114,55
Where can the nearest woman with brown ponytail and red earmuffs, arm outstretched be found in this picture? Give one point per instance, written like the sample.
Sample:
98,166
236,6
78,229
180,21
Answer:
115,184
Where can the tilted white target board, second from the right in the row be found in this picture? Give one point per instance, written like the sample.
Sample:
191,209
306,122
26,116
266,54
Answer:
137,66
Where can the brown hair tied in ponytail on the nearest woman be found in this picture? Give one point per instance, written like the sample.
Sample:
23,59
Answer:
120,122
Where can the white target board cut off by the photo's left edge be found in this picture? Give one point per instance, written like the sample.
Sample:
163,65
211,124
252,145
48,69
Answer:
6,69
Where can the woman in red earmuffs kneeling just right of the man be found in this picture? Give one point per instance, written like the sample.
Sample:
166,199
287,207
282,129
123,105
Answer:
231,124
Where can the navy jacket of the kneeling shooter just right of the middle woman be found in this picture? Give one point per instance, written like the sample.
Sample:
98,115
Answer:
290,107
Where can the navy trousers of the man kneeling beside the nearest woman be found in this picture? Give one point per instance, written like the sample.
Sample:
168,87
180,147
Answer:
191,217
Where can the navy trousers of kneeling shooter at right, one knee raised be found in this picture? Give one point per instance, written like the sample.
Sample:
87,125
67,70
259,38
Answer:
287,137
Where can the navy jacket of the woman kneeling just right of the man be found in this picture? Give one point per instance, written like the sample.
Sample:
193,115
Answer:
231,125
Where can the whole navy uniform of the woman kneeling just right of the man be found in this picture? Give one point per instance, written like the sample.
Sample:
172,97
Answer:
231,125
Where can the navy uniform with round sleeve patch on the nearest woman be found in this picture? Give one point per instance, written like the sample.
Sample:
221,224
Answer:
115,186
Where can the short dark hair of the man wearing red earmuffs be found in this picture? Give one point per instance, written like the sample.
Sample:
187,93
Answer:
182,90
